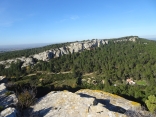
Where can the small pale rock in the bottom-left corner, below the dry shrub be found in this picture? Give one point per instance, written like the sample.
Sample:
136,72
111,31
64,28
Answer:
9,112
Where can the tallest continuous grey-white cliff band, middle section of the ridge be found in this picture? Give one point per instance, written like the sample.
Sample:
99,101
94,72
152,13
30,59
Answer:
73,47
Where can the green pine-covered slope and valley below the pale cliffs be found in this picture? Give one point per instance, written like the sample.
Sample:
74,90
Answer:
109,66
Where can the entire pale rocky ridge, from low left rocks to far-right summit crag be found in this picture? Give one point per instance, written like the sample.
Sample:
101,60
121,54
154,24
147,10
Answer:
57,52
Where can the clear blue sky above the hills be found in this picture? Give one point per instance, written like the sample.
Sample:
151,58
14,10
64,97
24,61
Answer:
51,21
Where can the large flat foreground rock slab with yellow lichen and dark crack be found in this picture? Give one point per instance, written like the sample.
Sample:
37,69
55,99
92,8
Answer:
84,103
